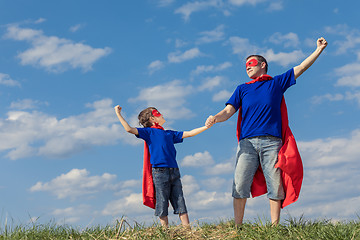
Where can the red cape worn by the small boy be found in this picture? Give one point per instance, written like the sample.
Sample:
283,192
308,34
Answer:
148,183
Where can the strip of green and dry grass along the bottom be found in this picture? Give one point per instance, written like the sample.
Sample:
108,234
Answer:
290,229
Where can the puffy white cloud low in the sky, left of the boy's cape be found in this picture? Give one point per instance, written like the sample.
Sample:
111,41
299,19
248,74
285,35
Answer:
76,183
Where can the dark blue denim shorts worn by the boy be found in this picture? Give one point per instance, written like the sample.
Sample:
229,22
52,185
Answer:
168,187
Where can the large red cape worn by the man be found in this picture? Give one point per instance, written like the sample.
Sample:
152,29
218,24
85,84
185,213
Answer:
289,160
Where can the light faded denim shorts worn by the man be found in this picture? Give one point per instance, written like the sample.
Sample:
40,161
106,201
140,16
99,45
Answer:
251,153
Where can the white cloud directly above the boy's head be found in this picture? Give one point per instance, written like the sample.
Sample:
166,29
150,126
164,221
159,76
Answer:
169,98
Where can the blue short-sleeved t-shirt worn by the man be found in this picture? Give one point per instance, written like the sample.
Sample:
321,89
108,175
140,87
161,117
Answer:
260,102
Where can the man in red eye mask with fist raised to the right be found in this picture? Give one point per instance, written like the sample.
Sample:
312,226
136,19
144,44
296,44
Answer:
260,134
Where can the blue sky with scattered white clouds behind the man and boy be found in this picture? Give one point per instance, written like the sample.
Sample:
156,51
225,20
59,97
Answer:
65,64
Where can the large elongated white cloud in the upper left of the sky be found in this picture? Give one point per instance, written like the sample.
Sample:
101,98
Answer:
54,53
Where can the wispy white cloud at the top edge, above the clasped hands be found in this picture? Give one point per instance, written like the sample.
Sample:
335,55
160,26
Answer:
191,7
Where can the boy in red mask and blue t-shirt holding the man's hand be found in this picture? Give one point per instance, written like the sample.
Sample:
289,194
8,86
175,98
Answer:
165,171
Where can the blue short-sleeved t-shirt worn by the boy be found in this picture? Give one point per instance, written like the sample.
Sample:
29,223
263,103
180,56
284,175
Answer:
161,145
